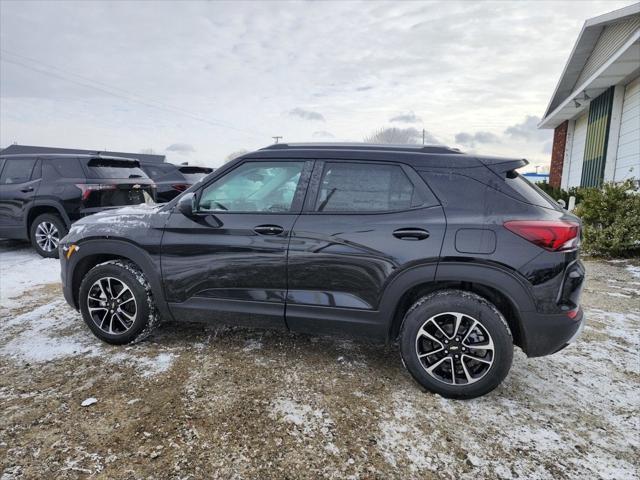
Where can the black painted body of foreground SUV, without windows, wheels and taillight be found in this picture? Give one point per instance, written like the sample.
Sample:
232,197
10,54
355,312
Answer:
346,272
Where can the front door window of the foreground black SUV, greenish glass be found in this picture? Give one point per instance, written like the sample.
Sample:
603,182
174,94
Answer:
254,187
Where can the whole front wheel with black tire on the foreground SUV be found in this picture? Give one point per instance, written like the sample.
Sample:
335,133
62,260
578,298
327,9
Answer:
116,330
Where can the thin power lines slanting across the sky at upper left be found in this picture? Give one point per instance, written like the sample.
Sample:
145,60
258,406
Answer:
45,69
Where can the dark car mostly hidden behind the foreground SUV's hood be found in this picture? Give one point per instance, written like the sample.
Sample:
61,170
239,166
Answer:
171,180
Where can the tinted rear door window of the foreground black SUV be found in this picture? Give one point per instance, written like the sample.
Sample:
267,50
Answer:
357,187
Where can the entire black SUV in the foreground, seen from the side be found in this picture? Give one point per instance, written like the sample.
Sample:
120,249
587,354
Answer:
455,256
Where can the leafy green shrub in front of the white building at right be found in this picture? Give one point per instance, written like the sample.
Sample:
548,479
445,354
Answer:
611,219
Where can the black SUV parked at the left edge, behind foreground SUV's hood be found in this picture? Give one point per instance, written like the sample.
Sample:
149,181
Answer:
41,195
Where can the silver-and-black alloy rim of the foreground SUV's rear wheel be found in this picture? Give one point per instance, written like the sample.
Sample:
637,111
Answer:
455,348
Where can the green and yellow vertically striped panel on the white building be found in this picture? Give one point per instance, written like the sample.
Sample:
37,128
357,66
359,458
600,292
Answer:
595,150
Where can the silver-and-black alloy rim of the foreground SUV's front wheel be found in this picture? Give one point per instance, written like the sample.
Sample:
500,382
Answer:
112,305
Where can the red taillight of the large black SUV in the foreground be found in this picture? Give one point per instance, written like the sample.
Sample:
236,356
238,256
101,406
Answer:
552,235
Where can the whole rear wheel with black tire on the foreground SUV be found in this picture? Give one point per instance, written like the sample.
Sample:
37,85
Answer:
451,378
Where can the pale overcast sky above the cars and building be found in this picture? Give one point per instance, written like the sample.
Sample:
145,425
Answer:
199,80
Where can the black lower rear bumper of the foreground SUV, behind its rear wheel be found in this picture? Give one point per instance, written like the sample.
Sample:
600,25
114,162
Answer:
547,334
